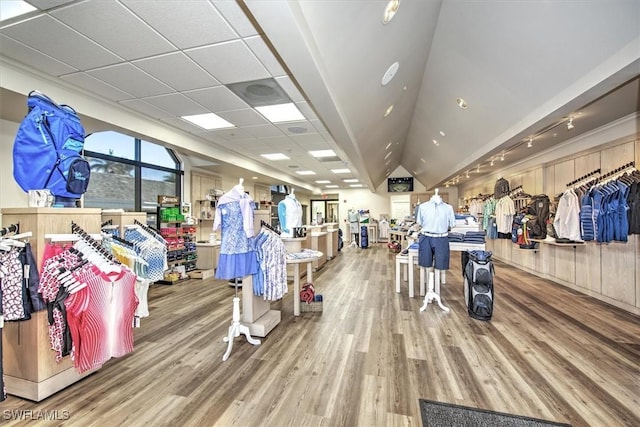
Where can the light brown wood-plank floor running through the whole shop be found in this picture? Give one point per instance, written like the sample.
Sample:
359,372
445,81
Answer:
548,353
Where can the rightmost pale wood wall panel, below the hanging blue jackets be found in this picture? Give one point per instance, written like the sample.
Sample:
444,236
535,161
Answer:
617,283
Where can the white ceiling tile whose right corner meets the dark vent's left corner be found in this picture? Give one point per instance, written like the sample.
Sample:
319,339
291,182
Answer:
173,69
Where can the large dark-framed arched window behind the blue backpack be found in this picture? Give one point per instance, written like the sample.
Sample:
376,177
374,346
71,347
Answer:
128,173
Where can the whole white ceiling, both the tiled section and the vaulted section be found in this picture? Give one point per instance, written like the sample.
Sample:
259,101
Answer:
523,68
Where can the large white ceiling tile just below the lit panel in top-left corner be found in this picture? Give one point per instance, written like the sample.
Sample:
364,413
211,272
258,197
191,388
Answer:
61,42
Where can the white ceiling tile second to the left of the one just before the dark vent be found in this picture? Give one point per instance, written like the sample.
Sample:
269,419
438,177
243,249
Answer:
131,79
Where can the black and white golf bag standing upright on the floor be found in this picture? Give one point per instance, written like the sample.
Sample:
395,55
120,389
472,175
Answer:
478,275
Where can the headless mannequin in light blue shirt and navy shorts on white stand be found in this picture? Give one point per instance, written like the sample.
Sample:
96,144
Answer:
435,218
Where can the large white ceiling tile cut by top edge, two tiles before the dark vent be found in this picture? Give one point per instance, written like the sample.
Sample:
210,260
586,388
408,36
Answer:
198,24
